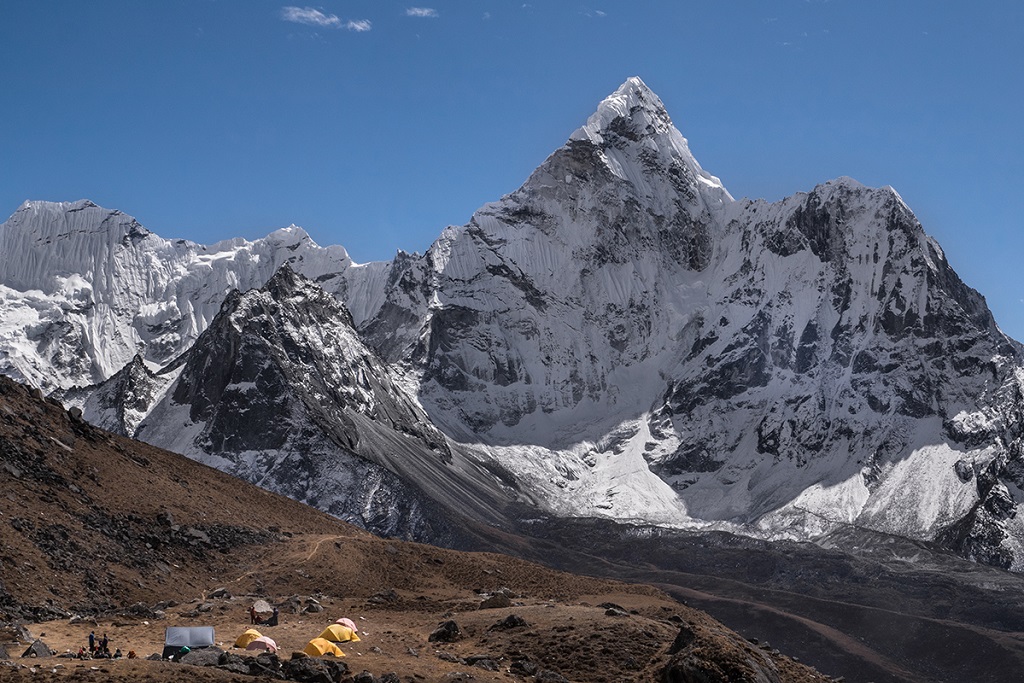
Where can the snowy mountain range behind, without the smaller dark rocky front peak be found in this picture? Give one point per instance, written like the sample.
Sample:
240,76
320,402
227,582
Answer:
621,338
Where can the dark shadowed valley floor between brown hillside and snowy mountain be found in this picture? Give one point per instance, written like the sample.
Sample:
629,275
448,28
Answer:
884,609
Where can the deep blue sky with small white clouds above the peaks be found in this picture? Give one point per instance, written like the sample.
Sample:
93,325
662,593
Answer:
375,124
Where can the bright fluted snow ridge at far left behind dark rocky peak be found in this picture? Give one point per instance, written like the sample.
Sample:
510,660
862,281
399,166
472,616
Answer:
84,289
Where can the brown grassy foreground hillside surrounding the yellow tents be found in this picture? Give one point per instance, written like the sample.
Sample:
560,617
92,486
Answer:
107,535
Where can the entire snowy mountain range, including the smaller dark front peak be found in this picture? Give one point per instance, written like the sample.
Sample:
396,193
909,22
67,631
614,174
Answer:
619,338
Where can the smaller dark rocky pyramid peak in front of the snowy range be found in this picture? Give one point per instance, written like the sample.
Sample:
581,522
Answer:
281,392
